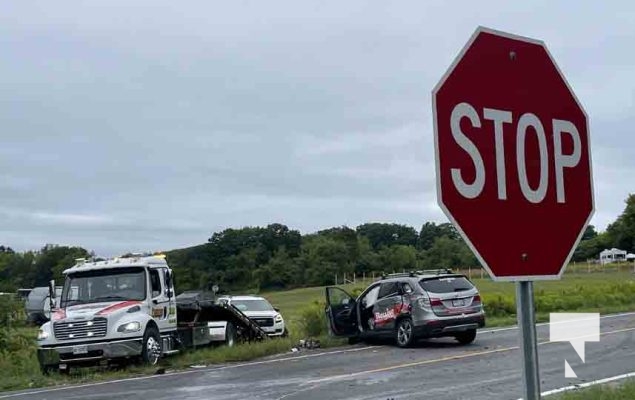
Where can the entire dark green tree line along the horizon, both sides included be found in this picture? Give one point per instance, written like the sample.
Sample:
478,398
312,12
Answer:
278,257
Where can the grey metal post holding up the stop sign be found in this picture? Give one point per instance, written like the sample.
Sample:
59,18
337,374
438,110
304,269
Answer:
528,343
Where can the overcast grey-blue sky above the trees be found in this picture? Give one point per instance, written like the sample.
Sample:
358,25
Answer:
147,125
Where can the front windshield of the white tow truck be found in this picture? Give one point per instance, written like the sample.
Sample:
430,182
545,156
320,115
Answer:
114,284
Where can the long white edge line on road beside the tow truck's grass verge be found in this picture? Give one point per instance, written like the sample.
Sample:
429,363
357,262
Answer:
211,369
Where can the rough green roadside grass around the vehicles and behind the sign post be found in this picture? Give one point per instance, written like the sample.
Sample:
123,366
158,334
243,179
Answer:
303,309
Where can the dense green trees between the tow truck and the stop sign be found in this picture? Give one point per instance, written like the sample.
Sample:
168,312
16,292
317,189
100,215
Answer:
276,257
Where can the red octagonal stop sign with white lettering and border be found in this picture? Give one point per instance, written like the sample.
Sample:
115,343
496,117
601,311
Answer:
512,154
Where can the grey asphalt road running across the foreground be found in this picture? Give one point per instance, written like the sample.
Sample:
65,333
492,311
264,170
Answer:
490,368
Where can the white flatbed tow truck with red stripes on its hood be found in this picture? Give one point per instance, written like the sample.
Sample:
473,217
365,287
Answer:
125,308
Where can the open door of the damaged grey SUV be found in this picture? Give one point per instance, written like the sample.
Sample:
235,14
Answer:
341,312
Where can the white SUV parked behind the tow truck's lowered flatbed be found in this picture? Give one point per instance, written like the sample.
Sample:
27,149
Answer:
259,310
